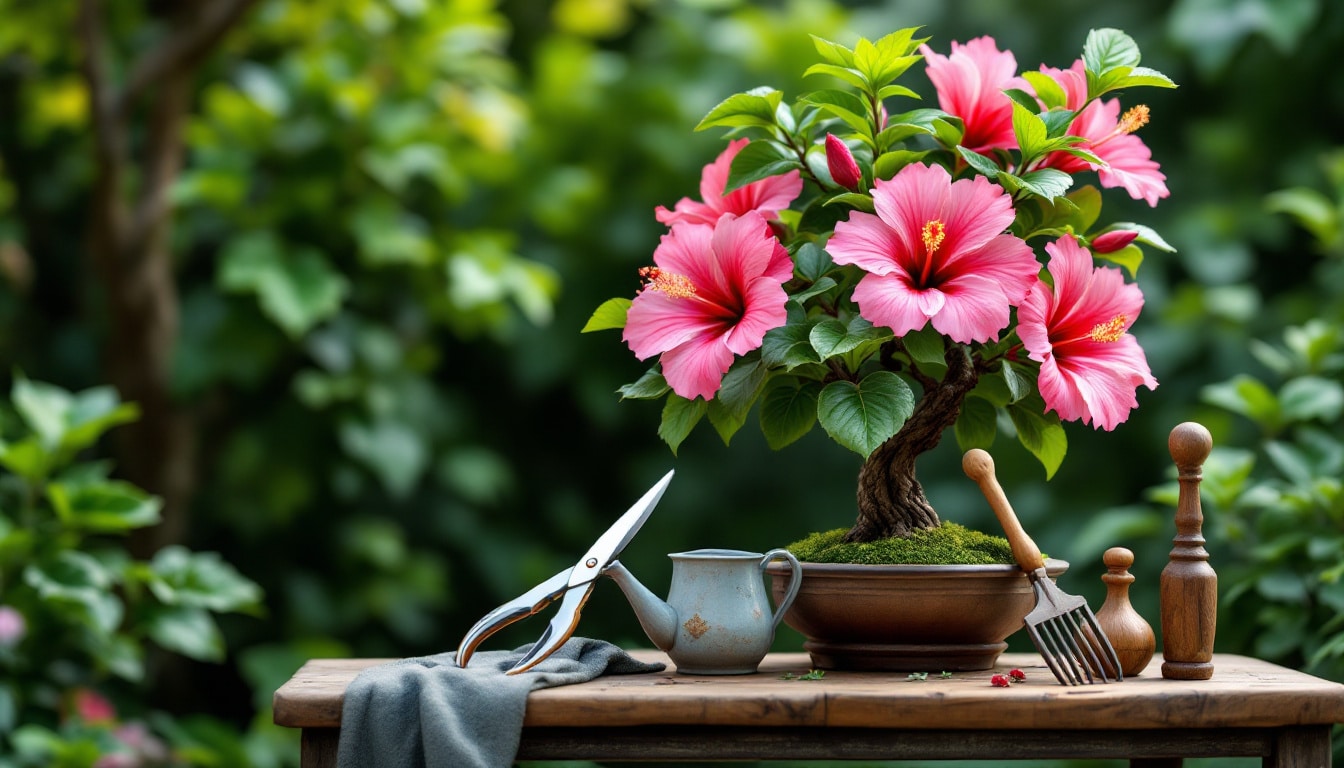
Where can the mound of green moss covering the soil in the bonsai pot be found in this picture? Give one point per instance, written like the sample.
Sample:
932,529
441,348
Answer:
948,544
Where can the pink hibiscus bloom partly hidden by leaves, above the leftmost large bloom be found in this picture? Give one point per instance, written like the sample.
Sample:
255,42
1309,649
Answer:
767,197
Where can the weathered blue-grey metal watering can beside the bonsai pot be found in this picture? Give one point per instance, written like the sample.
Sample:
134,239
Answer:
717,619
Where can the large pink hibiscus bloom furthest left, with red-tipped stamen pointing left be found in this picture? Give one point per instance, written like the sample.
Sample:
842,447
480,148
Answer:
714,295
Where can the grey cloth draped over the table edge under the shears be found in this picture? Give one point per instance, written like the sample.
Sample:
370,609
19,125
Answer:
428,712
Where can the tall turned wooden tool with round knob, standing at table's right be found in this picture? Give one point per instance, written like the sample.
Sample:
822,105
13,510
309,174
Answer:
1189,583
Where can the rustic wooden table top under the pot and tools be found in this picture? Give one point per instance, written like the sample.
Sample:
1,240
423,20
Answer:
1244,693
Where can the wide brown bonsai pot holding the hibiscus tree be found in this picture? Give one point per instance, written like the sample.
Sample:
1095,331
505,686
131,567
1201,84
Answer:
908,618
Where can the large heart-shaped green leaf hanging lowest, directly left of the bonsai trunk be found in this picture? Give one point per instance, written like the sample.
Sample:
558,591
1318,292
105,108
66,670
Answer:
864,416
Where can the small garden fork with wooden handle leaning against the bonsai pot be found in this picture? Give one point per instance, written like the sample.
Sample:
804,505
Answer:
1062,626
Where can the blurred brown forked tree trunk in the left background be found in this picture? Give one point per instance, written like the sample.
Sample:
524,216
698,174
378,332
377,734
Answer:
130,240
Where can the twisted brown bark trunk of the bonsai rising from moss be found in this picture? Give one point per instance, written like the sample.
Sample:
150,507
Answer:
892,502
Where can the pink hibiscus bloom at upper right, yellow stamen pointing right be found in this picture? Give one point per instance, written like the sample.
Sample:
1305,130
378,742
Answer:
1111,137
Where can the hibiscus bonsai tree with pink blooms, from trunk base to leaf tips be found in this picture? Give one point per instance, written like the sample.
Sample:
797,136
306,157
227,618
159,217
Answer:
890,274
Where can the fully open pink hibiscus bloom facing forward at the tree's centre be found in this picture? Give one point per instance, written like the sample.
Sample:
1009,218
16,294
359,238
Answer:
936,252
